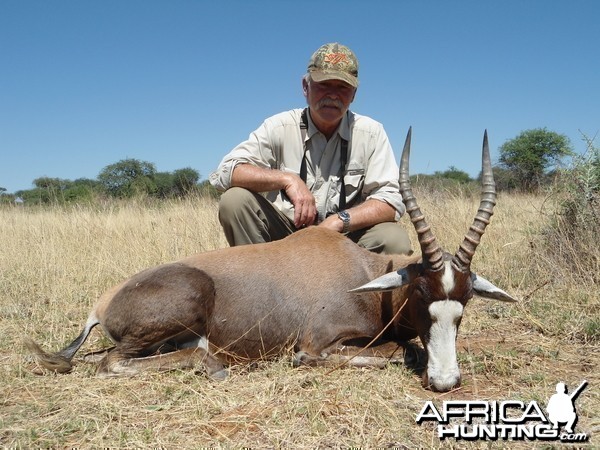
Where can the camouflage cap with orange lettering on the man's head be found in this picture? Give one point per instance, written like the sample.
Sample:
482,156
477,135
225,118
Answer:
334,62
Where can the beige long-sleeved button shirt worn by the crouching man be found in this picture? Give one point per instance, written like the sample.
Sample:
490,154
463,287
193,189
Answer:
371,171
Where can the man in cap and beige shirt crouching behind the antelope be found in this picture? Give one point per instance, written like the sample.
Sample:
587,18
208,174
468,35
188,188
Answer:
323,165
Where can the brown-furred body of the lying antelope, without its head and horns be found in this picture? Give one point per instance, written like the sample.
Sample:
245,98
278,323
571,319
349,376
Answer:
250,302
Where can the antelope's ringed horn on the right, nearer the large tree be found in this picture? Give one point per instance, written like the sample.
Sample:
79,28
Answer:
466,250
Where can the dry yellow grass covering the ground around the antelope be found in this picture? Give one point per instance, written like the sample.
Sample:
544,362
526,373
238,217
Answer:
55,262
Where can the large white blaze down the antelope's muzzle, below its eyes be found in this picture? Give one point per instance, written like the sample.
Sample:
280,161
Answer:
442,366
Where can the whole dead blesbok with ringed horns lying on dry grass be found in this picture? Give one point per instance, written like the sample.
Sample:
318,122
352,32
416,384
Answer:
257,301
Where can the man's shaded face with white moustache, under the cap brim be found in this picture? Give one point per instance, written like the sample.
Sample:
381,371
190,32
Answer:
328,100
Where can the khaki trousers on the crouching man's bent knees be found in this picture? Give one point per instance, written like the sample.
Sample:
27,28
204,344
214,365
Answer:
249,218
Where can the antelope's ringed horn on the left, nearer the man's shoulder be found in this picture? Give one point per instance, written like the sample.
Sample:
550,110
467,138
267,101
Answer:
431,251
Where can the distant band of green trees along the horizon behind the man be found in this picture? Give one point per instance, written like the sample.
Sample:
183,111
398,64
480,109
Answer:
527,163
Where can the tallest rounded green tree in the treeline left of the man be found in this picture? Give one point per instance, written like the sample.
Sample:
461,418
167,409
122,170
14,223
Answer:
128,178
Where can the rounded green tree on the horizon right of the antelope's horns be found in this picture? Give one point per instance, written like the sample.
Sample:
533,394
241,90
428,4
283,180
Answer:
532,154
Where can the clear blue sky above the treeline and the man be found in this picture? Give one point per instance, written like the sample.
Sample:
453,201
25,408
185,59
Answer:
84,84
